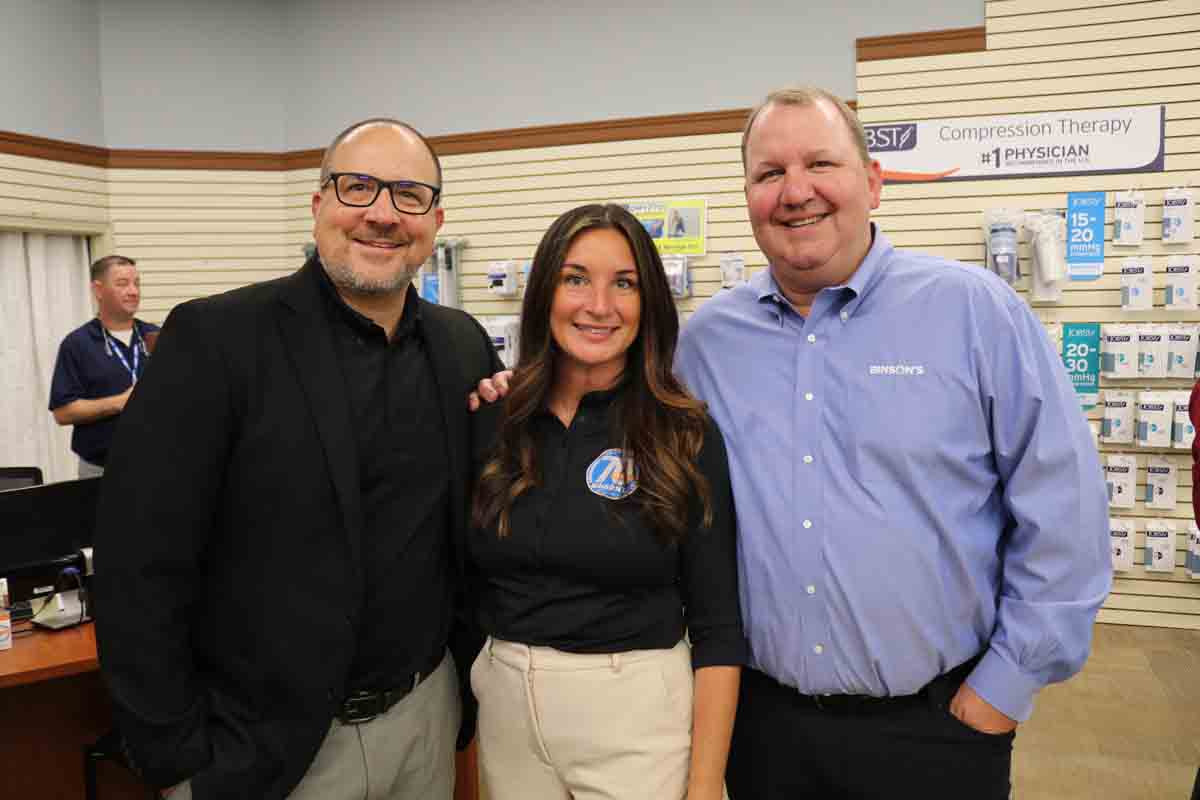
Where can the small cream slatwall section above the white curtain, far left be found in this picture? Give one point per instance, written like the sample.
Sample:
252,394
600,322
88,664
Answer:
52,196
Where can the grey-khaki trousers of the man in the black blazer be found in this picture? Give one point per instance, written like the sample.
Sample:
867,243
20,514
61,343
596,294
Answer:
409,754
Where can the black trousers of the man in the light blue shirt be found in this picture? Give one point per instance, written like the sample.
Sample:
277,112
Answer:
788,748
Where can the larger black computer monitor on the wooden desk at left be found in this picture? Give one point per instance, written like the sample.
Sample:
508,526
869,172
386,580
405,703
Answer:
44,531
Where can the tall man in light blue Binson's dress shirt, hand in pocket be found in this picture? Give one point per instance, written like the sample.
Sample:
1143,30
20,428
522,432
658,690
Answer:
922,515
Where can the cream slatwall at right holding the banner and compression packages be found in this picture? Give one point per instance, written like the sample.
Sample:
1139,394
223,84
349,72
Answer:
1047,56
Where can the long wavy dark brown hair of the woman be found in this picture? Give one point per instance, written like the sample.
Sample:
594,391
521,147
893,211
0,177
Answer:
662,426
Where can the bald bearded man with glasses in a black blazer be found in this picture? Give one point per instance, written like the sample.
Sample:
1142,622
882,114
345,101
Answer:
279,546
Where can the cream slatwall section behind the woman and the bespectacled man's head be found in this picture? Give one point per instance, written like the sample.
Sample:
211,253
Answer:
502,203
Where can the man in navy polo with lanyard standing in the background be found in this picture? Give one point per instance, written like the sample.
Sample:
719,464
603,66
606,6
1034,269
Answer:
100,362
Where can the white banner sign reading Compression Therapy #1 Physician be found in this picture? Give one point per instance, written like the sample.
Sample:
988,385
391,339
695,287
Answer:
1024,146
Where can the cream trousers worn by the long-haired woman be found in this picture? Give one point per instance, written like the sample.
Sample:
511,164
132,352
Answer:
560,726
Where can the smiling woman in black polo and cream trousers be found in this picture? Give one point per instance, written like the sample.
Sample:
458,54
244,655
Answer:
604,531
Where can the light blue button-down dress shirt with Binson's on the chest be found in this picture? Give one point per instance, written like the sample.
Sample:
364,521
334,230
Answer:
914,477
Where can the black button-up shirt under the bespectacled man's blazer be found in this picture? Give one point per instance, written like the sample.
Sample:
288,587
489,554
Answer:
405,482
